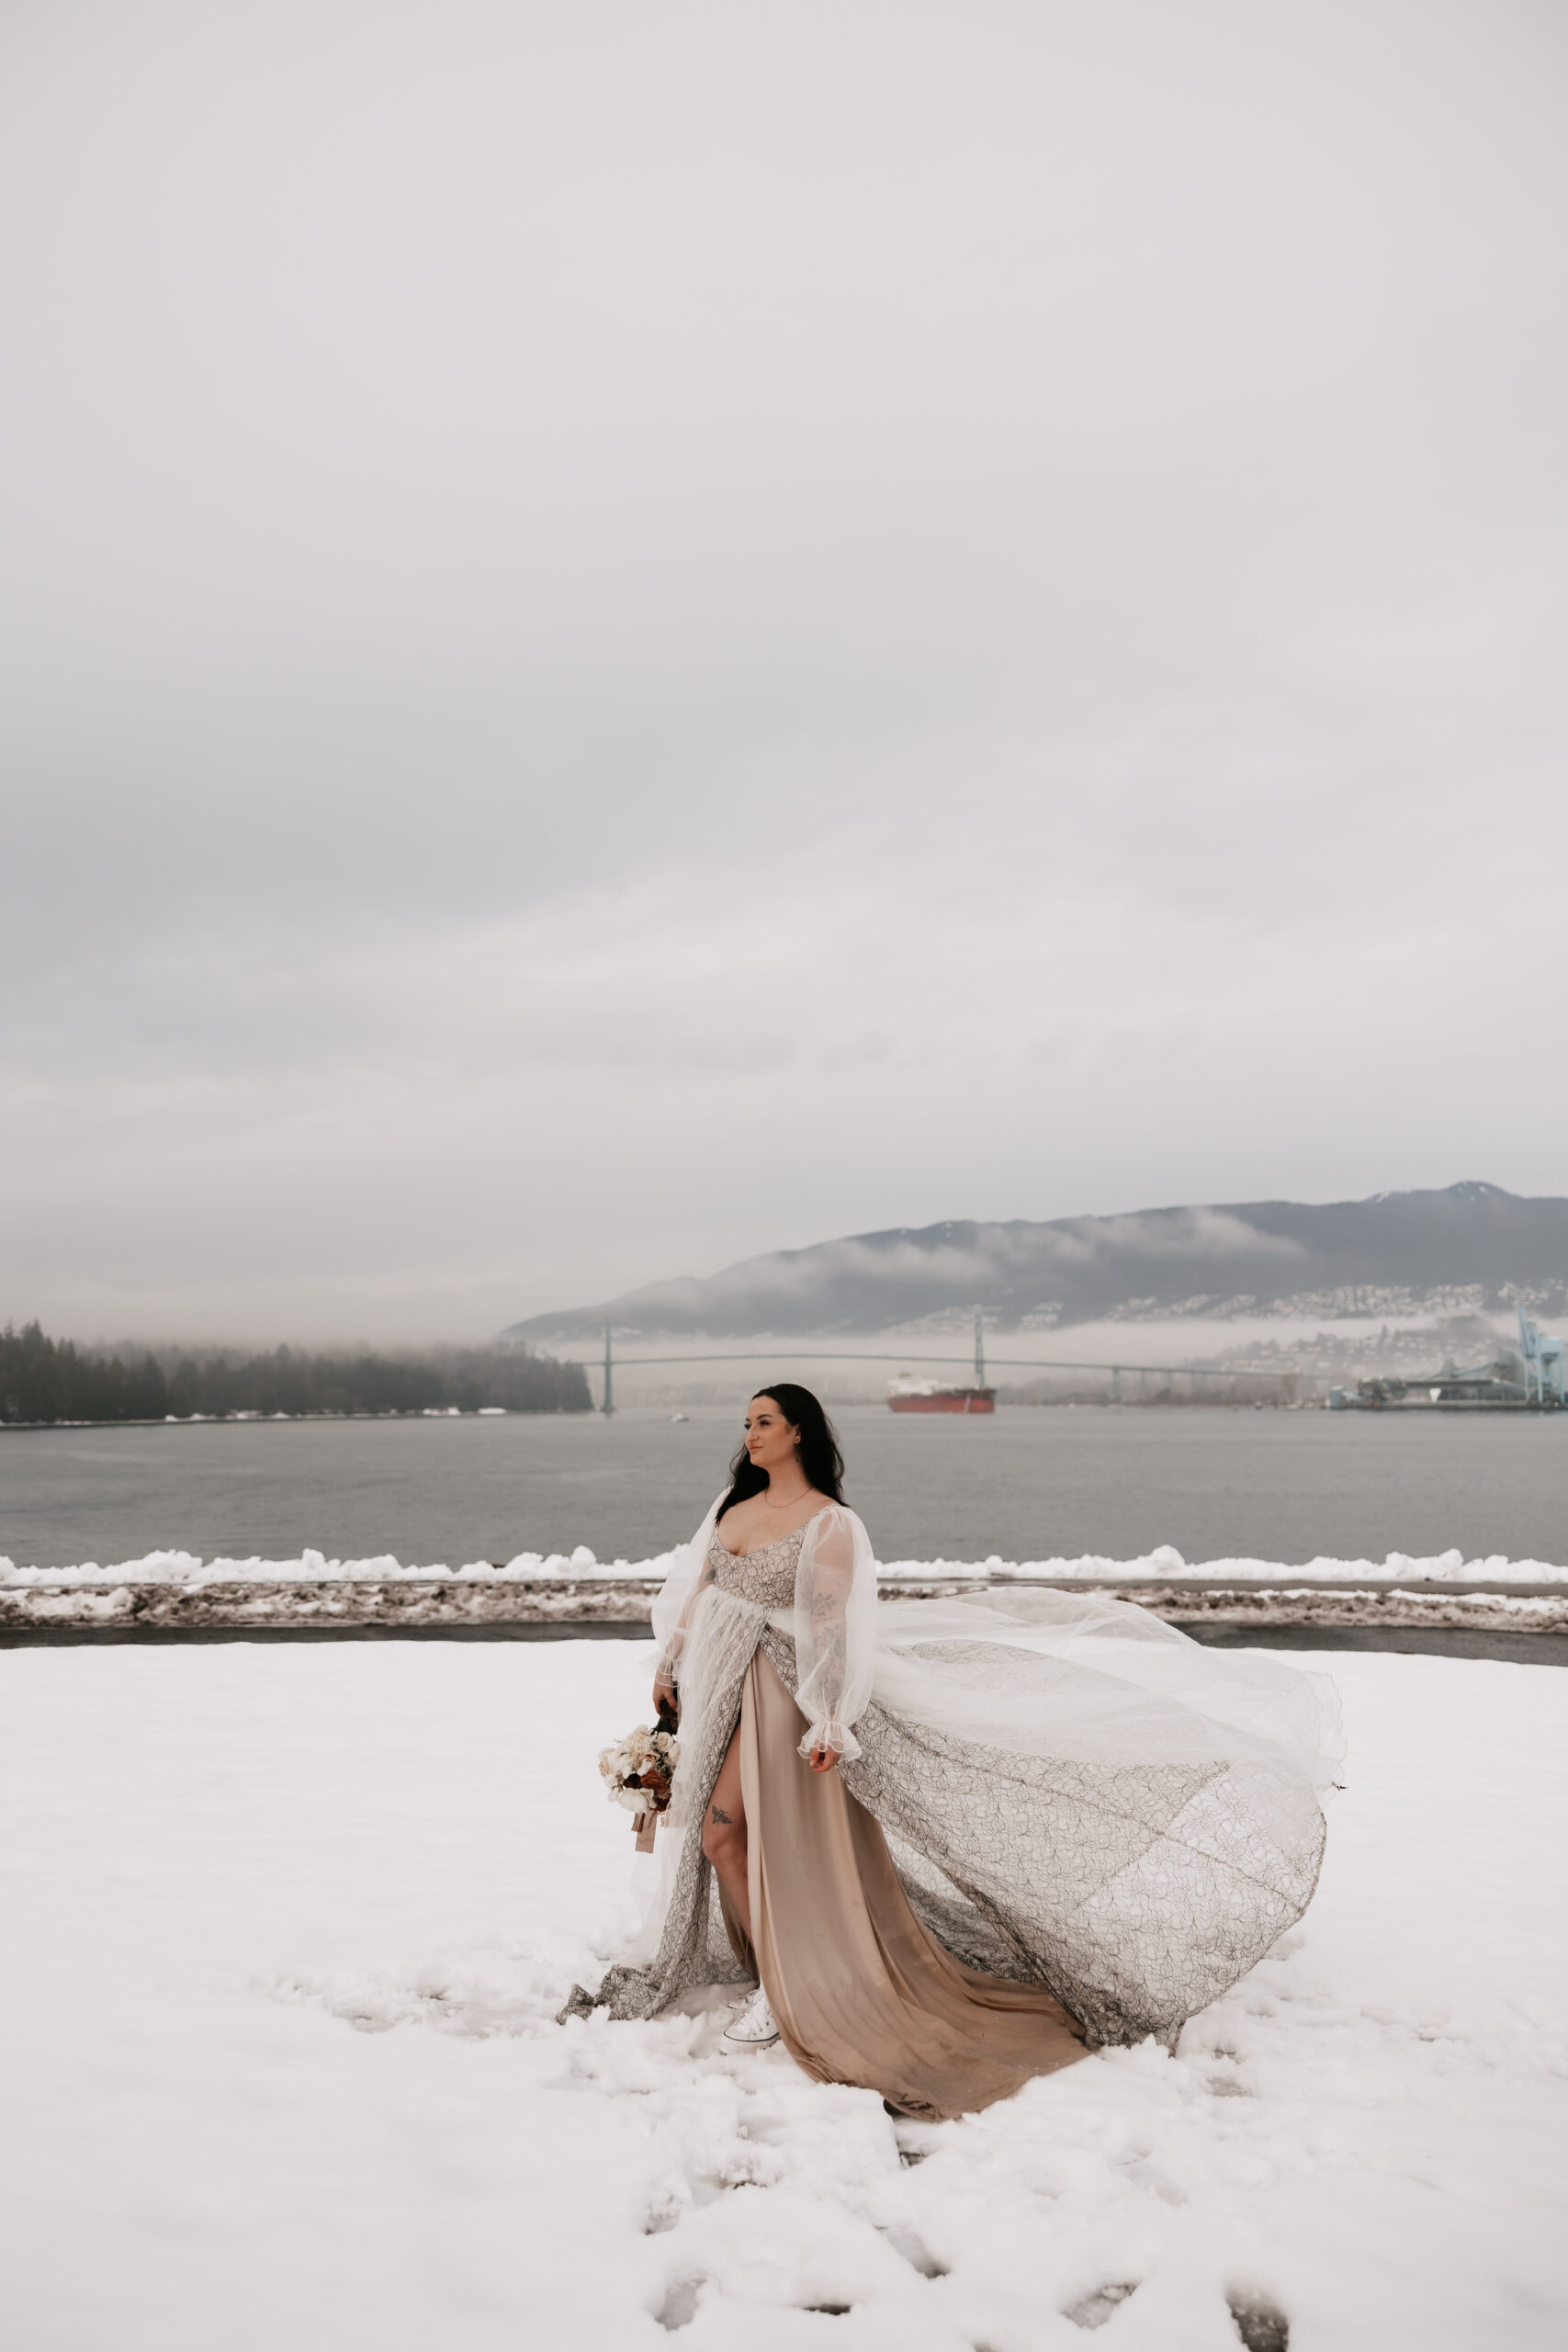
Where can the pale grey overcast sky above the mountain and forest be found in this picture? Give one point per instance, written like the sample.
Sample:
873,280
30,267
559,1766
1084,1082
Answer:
638,632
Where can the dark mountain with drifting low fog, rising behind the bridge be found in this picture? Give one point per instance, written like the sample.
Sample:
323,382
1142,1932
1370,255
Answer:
1466,1248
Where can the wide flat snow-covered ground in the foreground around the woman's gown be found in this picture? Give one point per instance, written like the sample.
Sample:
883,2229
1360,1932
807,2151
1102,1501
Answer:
286,1932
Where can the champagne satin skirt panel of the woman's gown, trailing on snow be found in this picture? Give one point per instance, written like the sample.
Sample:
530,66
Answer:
859,1989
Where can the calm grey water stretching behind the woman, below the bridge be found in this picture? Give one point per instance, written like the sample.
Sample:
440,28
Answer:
1021,1485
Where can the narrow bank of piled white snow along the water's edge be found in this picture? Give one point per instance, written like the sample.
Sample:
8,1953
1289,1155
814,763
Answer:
1162,1565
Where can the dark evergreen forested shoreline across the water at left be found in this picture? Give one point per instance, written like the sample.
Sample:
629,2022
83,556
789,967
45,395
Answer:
43,1382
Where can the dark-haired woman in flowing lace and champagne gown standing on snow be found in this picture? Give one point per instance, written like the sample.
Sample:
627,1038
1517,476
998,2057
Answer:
953,1843
